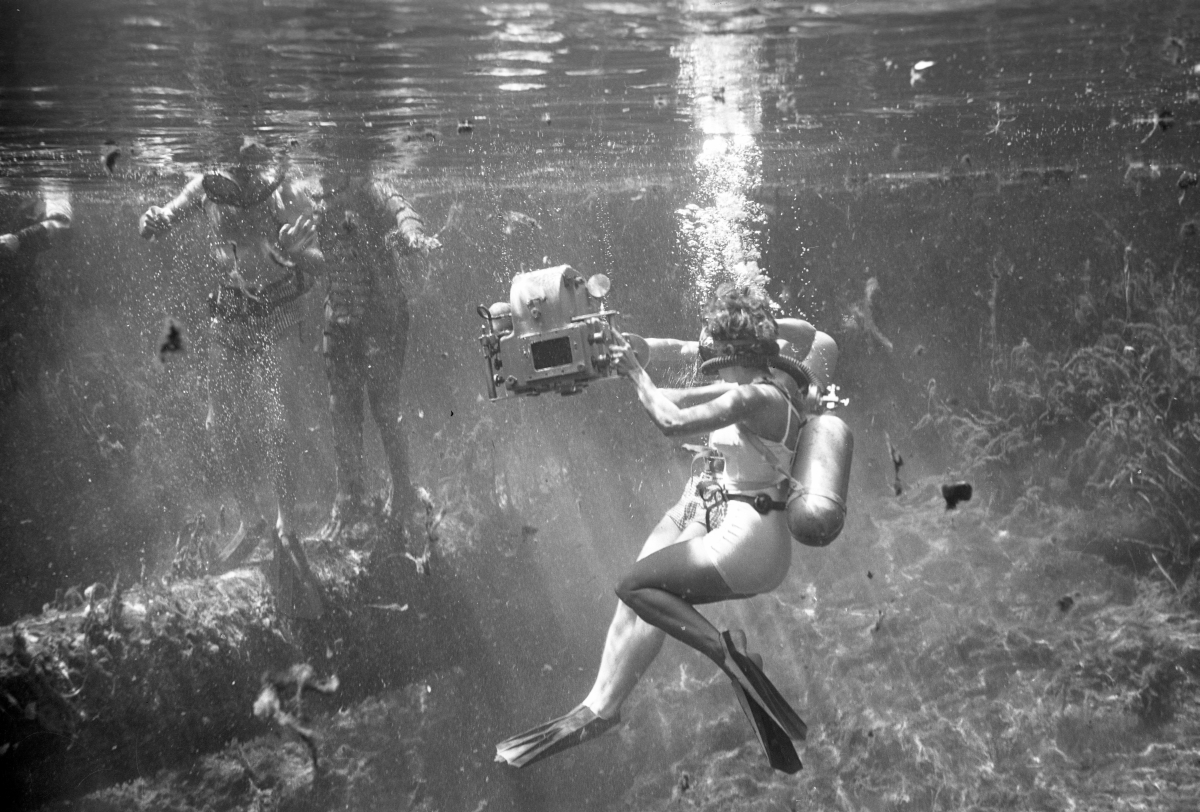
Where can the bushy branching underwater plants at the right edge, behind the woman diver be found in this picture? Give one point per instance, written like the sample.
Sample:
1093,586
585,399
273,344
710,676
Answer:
1111,424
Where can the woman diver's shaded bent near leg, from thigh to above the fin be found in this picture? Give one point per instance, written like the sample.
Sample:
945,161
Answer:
664,588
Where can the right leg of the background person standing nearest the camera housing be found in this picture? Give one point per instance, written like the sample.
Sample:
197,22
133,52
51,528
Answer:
387,341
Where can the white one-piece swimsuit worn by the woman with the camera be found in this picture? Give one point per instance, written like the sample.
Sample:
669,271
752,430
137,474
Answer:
752,550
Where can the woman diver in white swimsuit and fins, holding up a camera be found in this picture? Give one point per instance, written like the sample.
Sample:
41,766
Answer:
729,537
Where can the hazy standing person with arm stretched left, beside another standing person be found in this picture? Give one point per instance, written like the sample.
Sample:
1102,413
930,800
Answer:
262,240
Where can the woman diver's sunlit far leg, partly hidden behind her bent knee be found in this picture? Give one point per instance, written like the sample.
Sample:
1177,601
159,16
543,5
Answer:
633,645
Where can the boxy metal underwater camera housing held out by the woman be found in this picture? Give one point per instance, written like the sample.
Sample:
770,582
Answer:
554,335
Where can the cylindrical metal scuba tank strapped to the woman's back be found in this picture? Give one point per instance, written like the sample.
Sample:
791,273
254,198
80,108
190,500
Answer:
817,508
